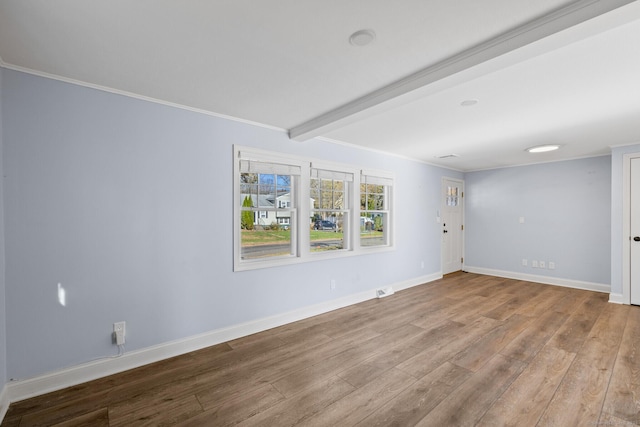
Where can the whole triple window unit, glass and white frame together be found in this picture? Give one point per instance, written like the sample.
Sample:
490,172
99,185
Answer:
289,209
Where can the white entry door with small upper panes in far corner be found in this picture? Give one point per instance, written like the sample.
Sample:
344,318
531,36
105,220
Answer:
451,222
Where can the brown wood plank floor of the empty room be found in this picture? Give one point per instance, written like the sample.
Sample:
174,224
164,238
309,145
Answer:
465,350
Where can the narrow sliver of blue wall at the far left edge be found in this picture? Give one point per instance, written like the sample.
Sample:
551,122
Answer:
3,319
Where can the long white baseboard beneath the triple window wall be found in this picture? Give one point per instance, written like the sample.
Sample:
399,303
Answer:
24,389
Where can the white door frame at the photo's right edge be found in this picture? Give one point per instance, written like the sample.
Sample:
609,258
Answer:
626,226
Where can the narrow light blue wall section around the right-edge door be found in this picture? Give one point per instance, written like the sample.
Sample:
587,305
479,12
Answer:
617,156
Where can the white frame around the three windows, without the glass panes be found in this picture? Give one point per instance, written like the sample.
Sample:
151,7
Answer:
301,208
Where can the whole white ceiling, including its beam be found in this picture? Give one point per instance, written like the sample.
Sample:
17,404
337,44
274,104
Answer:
548,71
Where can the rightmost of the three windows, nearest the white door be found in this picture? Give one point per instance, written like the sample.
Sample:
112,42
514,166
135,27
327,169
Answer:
375,208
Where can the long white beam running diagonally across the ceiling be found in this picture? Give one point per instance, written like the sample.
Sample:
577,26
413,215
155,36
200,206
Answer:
573,14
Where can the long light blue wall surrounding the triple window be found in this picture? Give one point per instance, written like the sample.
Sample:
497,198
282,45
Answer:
128,204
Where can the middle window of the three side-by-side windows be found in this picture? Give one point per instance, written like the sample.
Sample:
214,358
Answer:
331,206
